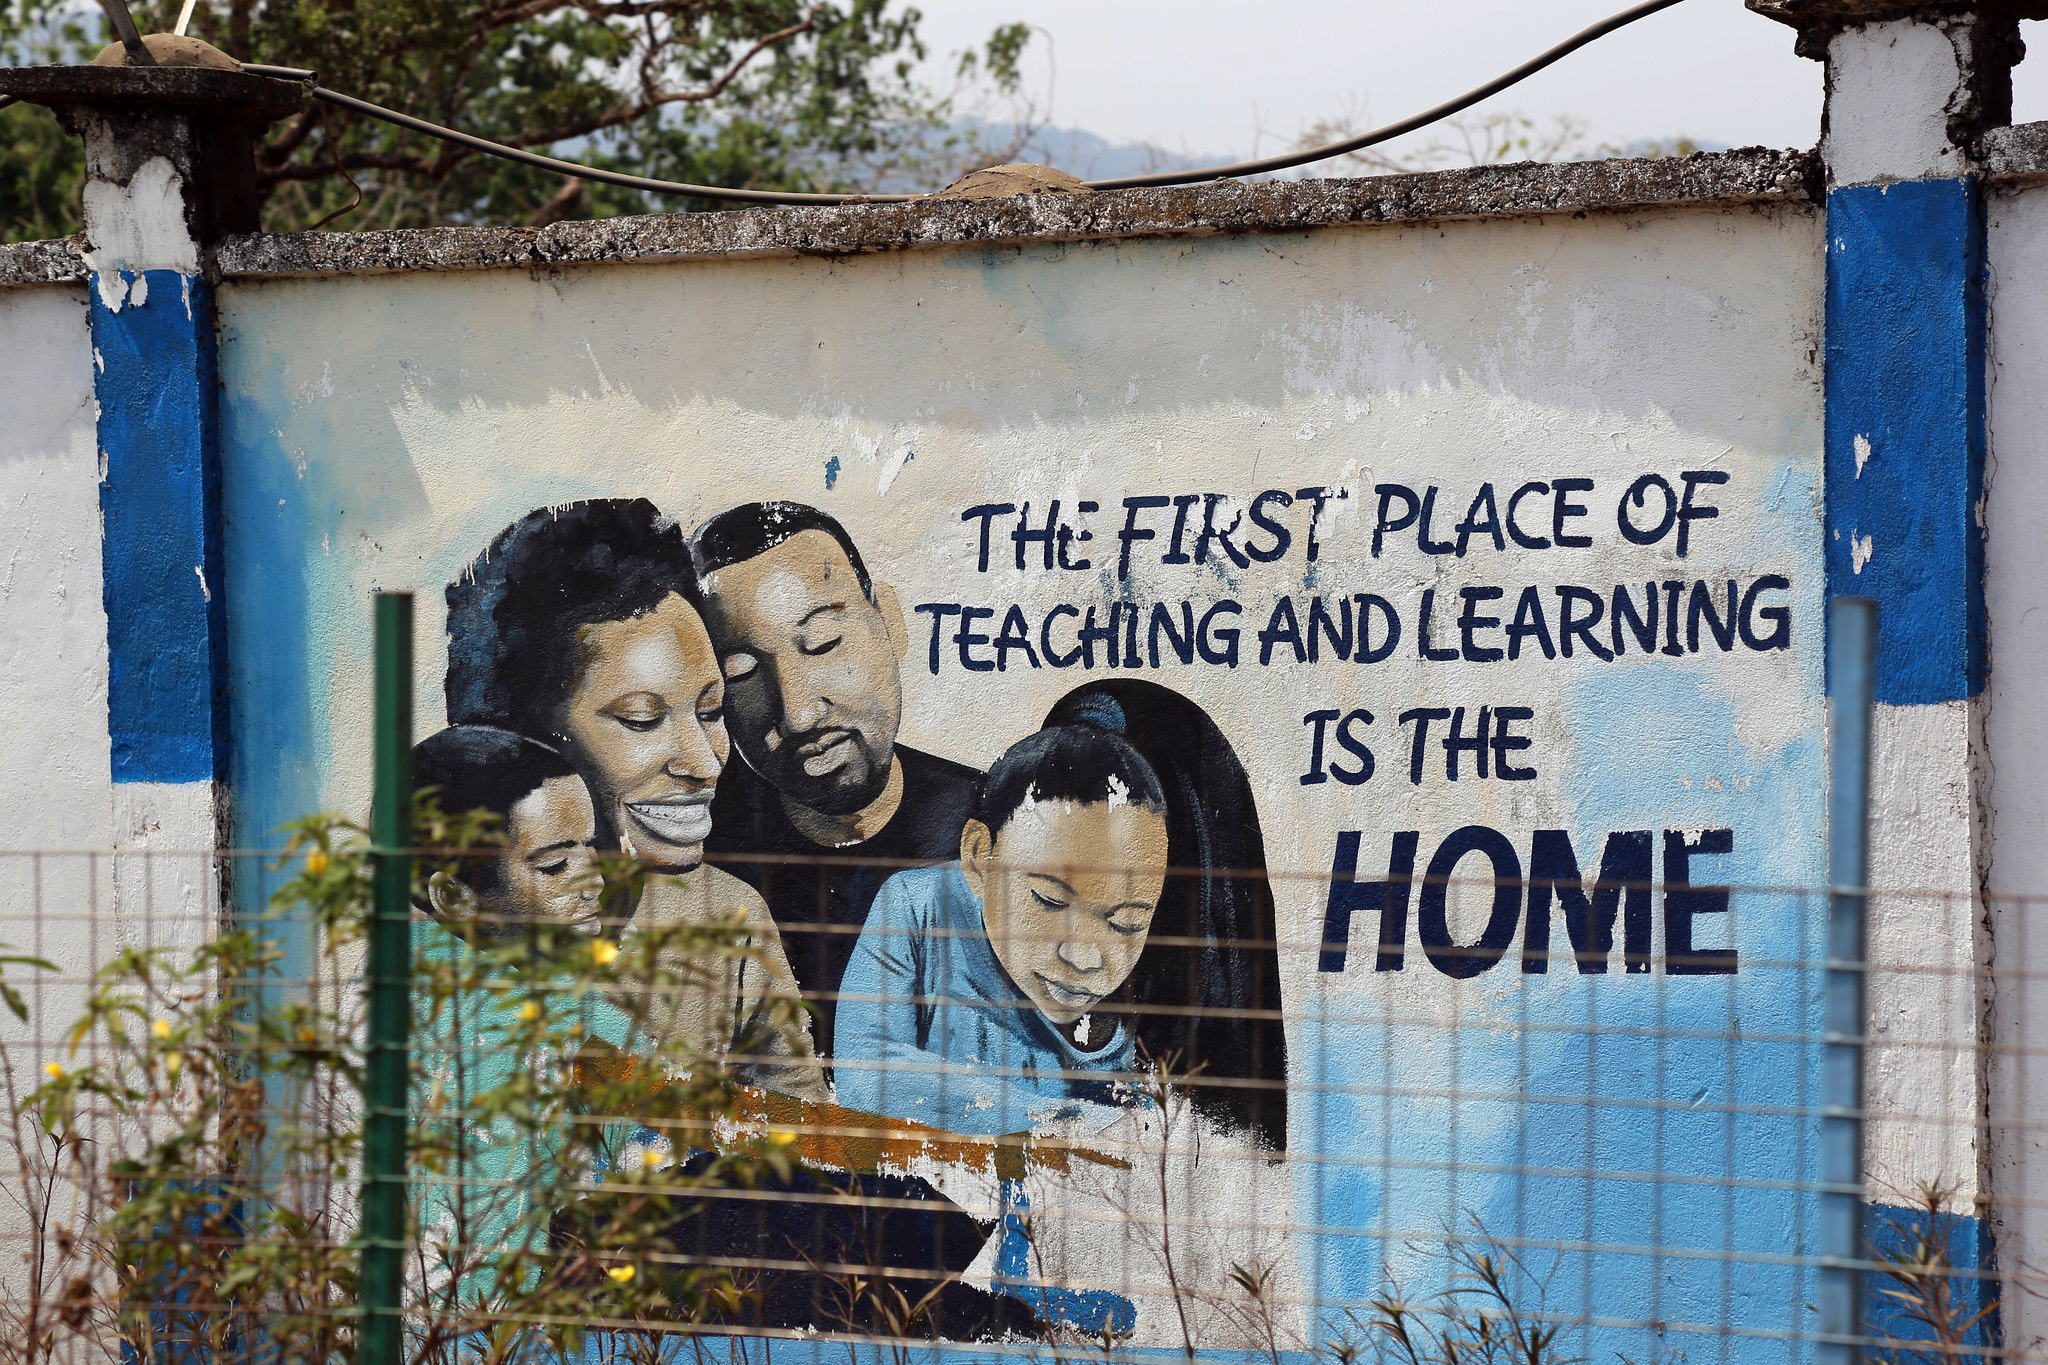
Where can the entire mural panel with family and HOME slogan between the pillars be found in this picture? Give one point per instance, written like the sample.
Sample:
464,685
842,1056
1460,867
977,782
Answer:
1373,674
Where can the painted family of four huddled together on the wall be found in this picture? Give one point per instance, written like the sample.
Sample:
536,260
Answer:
1054,946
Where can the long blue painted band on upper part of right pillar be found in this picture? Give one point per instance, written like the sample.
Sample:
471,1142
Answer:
1906,427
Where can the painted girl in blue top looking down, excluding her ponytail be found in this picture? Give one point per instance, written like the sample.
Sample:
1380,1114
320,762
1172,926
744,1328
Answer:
982,994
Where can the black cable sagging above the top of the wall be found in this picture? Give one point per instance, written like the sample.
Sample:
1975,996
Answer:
1127,183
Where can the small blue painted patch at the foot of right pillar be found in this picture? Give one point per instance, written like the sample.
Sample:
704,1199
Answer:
1961,1243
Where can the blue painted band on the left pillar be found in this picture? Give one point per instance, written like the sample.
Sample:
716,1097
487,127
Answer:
161,496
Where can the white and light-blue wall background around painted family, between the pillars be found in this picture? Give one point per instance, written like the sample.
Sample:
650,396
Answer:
380,431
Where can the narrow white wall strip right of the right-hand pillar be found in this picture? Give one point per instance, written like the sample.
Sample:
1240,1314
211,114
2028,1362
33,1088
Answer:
2016,742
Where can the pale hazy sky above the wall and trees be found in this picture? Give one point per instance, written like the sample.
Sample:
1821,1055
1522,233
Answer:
1232,79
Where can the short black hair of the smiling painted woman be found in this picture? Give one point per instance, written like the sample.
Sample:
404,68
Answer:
517,609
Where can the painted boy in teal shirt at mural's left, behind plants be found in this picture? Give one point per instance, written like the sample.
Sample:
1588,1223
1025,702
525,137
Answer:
472,1026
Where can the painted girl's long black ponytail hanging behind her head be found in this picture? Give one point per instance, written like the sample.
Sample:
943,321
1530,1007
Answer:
1209,996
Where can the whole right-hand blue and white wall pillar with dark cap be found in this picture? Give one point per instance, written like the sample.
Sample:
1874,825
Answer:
1910,87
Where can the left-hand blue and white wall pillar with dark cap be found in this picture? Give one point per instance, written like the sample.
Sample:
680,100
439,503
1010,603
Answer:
169,173
